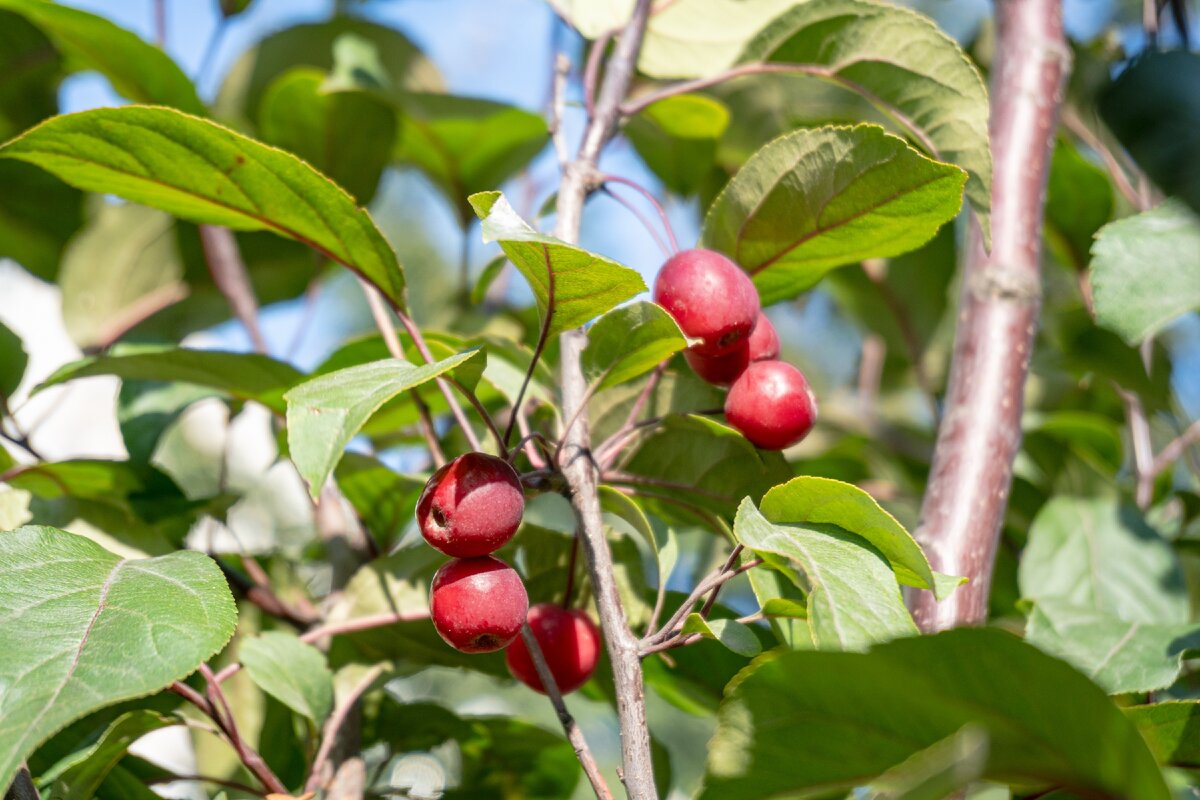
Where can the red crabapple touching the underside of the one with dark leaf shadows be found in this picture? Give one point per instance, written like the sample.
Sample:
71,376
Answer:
478,605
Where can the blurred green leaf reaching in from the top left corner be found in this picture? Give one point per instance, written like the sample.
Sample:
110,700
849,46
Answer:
136,69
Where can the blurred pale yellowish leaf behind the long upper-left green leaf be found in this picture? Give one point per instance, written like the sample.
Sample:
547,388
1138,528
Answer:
124,262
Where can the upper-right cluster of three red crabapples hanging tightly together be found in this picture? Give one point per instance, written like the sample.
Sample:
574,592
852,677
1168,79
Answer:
713,300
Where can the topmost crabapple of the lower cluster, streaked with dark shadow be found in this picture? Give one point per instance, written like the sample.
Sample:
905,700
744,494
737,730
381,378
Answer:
472,507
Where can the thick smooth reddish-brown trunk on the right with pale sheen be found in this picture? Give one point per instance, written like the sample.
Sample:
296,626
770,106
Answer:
981,432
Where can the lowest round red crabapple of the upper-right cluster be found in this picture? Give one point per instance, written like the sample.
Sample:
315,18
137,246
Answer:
772,405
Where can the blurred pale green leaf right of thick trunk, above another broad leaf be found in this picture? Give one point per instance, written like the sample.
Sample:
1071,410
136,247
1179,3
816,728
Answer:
1096,554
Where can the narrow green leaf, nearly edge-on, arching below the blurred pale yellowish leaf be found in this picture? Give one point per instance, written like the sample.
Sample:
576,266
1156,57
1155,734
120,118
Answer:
244,376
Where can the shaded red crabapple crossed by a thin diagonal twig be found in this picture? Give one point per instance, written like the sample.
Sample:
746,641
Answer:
569,641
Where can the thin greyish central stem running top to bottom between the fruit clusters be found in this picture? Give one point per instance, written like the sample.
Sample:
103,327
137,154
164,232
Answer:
579,468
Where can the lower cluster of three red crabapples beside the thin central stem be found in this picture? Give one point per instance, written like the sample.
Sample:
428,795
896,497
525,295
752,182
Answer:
470,509
